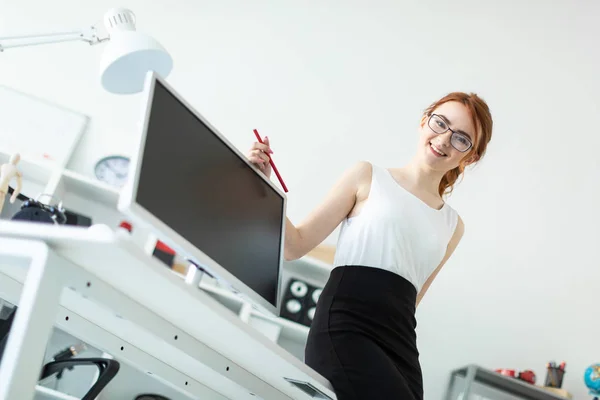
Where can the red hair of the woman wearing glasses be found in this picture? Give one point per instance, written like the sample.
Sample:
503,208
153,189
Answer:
483,123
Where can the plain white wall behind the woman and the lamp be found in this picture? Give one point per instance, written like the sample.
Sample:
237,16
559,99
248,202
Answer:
335,82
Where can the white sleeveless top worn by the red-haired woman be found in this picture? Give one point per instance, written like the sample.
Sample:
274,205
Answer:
396,231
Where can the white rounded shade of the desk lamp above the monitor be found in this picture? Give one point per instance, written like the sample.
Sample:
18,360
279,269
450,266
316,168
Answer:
128,56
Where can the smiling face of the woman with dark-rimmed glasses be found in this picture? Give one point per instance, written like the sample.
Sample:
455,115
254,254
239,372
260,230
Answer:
447,136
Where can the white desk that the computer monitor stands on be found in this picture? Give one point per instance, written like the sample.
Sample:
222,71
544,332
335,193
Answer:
128,304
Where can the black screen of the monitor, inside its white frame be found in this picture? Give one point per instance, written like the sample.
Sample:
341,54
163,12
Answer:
195,184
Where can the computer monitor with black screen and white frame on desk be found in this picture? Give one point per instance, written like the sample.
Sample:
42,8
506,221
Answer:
198,193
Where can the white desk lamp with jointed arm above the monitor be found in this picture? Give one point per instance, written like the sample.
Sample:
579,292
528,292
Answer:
127,58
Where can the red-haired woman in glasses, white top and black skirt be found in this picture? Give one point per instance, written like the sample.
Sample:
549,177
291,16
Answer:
397,232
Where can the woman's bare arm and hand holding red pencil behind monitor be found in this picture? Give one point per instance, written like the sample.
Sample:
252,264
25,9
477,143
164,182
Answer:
322,221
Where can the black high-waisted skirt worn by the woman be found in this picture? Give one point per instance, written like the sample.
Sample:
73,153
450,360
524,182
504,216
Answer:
362,337
